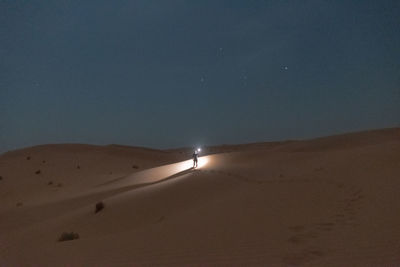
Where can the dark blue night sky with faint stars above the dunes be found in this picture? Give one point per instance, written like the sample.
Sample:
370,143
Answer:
177,73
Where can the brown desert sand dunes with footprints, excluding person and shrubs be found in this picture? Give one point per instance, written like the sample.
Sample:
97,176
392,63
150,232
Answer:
331,201
